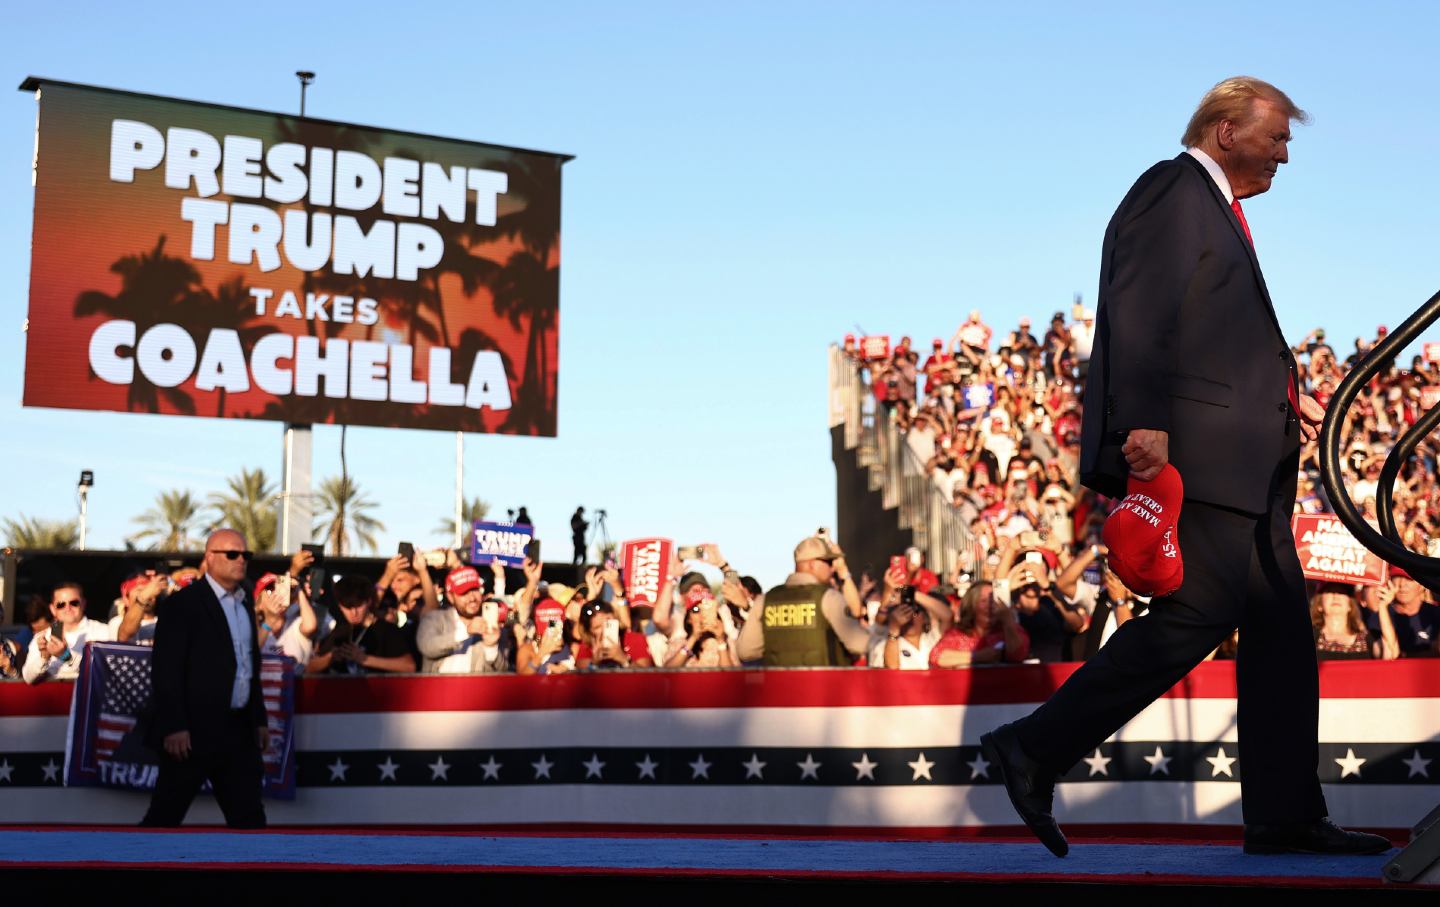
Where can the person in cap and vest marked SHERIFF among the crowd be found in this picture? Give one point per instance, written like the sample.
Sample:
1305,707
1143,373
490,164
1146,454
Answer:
809,621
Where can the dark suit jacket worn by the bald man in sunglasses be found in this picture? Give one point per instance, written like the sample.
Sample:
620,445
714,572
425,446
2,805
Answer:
192,670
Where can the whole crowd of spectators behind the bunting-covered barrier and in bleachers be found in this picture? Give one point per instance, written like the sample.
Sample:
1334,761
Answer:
991,420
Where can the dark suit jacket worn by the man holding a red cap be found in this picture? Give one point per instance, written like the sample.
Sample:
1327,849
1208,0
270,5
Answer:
1187,342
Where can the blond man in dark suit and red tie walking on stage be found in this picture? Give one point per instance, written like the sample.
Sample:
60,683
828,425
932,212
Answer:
1192,368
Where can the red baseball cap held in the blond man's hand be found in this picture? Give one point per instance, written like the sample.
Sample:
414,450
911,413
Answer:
1144,535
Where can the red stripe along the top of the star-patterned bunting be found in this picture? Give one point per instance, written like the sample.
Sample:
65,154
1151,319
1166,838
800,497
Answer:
771,689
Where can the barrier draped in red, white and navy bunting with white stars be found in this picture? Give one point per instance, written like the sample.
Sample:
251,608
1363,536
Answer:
794,749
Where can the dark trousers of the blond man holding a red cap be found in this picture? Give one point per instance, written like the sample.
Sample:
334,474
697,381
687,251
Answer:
1241,571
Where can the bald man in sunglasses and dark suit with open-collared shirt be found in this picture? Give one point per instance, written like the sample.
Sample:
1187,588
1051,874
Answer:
207,679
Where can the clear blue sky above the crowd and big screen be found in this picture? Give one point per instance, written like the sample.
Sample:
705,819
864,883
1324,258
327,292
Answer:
752,181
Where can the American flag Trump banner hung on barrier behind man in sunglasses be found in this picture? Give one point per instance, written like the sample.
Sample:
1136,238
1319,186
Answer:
112,708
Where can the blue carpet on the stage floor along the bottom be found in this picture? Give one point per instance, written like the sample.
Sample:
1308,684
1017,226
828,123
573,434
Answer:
811,859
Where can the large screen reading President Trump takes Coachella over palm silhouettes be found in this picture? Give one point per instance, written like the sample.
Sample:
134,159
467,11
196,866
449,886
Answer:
210,261
